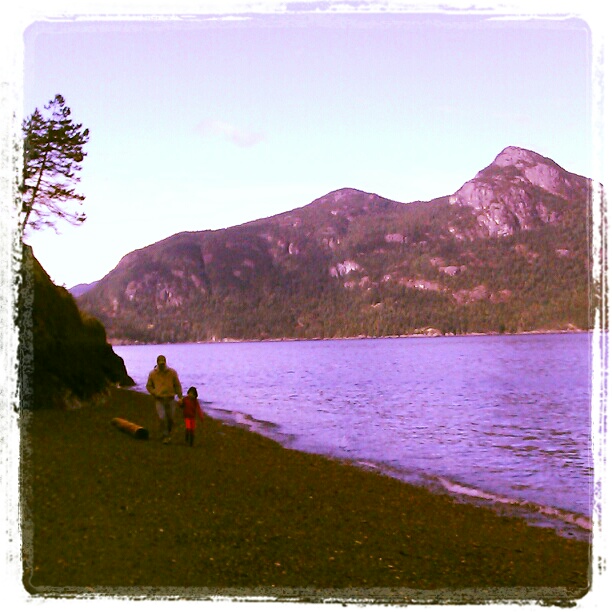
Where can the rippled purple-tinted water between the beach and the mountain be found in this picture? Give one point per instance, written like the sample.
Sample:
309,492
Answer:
504,420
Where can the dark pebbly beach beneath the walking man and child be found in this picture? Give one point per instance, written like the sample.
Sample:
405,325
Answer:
238,515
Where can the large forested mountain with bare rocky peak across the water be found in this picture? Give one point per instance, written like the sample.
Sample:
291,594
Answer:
508,252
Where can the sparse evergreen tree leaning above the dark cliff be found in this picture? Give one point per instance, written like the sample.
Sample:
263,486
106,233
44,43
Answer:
53,152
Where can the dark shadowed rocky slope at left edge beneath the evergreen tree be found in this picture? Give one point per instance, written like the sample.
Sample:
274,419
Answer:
64,356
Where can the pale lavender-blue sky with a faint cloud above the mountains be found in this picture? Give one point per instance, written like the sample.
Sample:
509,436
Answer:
206,122
